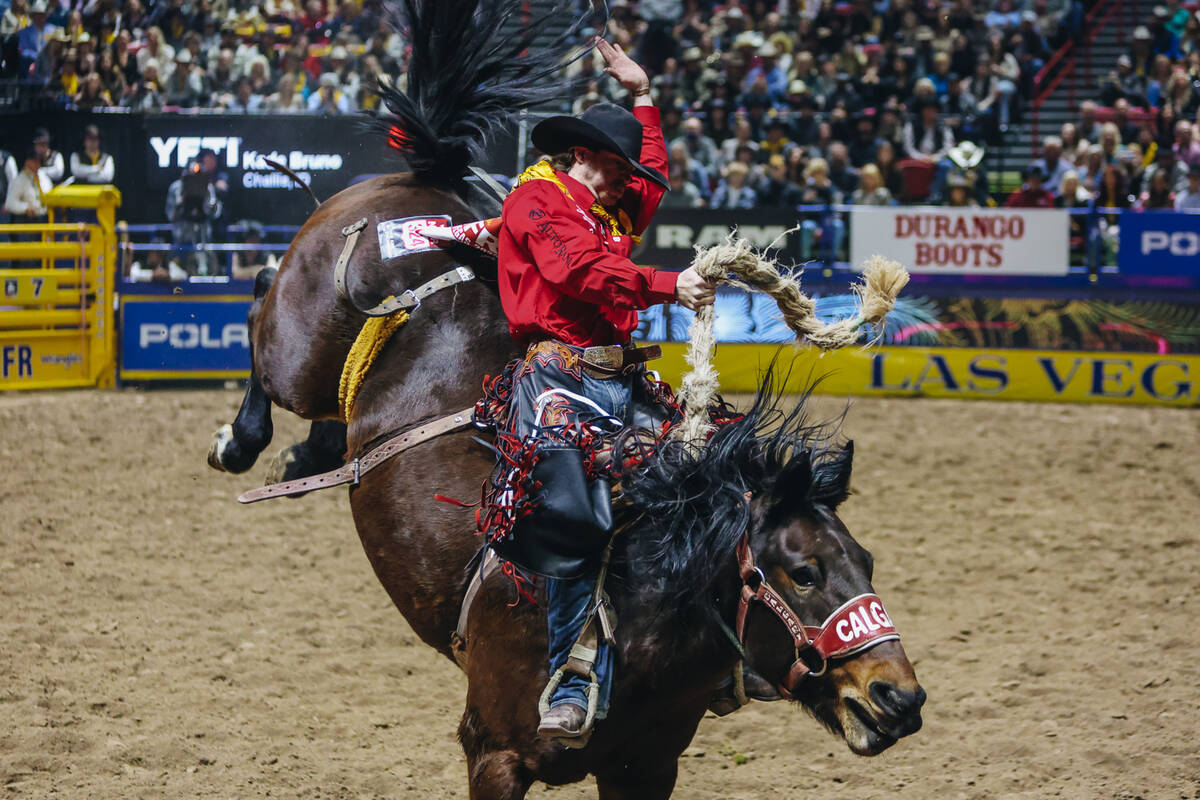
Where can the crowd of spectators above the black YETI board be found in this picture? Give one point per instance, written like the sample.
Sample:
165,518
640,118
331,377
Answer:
277,57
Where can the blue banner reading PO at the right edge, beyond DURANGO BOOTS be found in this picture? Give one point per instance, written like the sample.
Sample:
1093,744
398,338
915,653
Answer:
1160,243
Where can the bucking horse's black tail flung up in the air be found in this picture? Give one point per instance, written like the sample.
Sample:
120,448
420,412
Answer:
467,77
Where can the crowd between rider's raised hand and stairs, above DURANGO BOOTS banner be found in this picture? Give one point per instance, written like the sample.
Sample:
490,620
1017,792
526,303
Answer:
778,105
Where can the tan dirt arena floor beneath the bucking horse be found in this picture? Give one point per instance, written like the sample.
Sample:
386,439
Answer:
160,641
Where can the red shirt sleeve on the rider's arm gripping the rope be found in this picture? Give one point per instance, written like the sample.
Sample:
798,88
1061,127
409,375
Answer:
569,256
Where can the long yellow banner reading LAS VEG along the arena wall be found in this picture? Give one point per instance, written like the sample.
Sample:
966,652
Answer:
1057,376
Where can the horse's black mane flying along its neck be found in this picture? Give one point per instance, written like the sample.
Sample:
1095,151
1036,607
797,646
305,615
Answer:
692,502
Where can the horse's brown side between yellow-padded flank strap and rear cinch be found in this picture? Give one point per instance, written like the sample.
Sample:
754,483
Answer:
435,365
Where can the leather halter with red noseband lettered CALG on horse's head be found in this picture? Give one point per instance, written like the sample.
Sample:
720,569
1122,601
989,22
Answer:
857,625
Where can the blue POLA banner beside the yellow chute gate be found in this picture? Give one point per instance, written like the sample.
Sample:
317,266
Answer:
194,339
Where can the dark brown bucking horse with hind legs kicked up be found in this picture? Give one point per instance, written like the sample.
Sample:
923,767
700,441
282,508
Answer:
730,554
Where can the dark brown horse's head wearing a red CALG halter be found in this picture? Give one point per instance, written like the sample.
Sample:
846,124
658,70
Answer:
871,697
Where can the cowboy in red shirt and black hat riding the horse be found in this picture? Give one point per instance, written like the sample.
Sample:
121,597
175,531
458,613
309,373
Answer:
572,294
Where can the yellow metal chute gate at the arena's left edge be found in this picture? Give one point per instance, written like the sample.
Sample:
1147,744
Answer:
57,291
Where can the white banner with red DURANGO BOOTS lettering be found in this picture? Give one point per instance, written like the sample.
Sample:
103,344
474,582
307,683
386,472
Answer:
963,242
